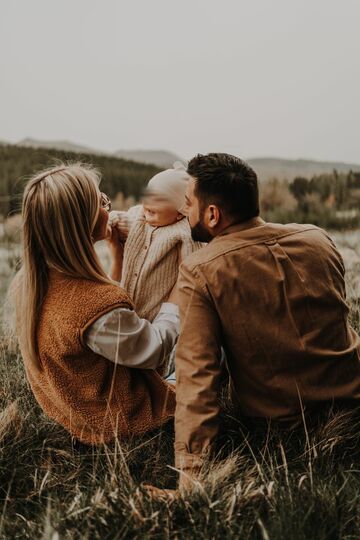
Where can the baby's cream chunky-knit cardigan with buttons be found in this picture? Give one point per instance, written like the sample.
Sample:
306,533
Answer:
152,257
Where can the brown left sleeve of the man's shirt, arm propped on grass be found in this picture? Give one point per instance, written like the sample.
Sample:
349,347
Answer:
197,371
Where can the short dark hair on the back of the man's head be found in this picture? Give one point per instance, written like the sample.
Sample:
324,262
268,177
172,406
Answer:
228,182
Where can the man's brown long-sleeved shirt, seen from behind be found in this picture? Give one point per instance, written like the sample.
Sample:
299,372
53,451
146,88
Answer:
273,296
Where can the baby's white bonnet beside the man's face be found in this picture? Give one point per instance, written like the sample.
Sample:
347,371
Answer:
171,184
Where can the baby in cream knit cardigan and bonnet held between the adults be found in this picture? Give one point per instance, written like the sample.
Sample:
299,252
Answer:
158,238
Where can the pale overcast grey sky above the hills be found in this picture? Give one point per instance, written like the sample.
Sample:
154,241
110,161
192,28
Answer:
250,77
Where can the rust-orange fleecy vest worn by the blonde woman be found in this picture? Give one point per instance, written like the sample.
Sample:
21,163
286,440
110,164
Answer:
93,398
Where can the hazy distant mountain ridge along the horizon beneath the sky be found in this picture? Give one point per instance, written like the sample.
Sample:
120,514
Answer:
265,167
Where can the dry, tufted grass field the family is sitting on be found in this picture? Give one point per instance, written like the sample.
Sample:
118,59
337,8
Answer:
268,485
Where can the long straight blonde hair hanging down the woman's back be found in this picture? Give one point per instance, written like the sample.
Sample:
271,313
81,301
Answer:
60,209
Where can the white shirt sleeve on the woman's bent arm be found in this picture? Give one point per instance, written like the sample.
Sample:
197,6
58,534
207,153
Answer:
124,338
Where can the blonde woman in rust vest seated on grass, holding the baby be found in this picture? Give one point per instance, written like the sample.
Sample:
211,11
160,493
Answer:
77,330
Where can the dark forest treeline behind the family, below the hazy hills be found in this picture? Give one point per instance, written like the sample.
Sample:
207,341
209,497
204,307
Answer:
329,200
